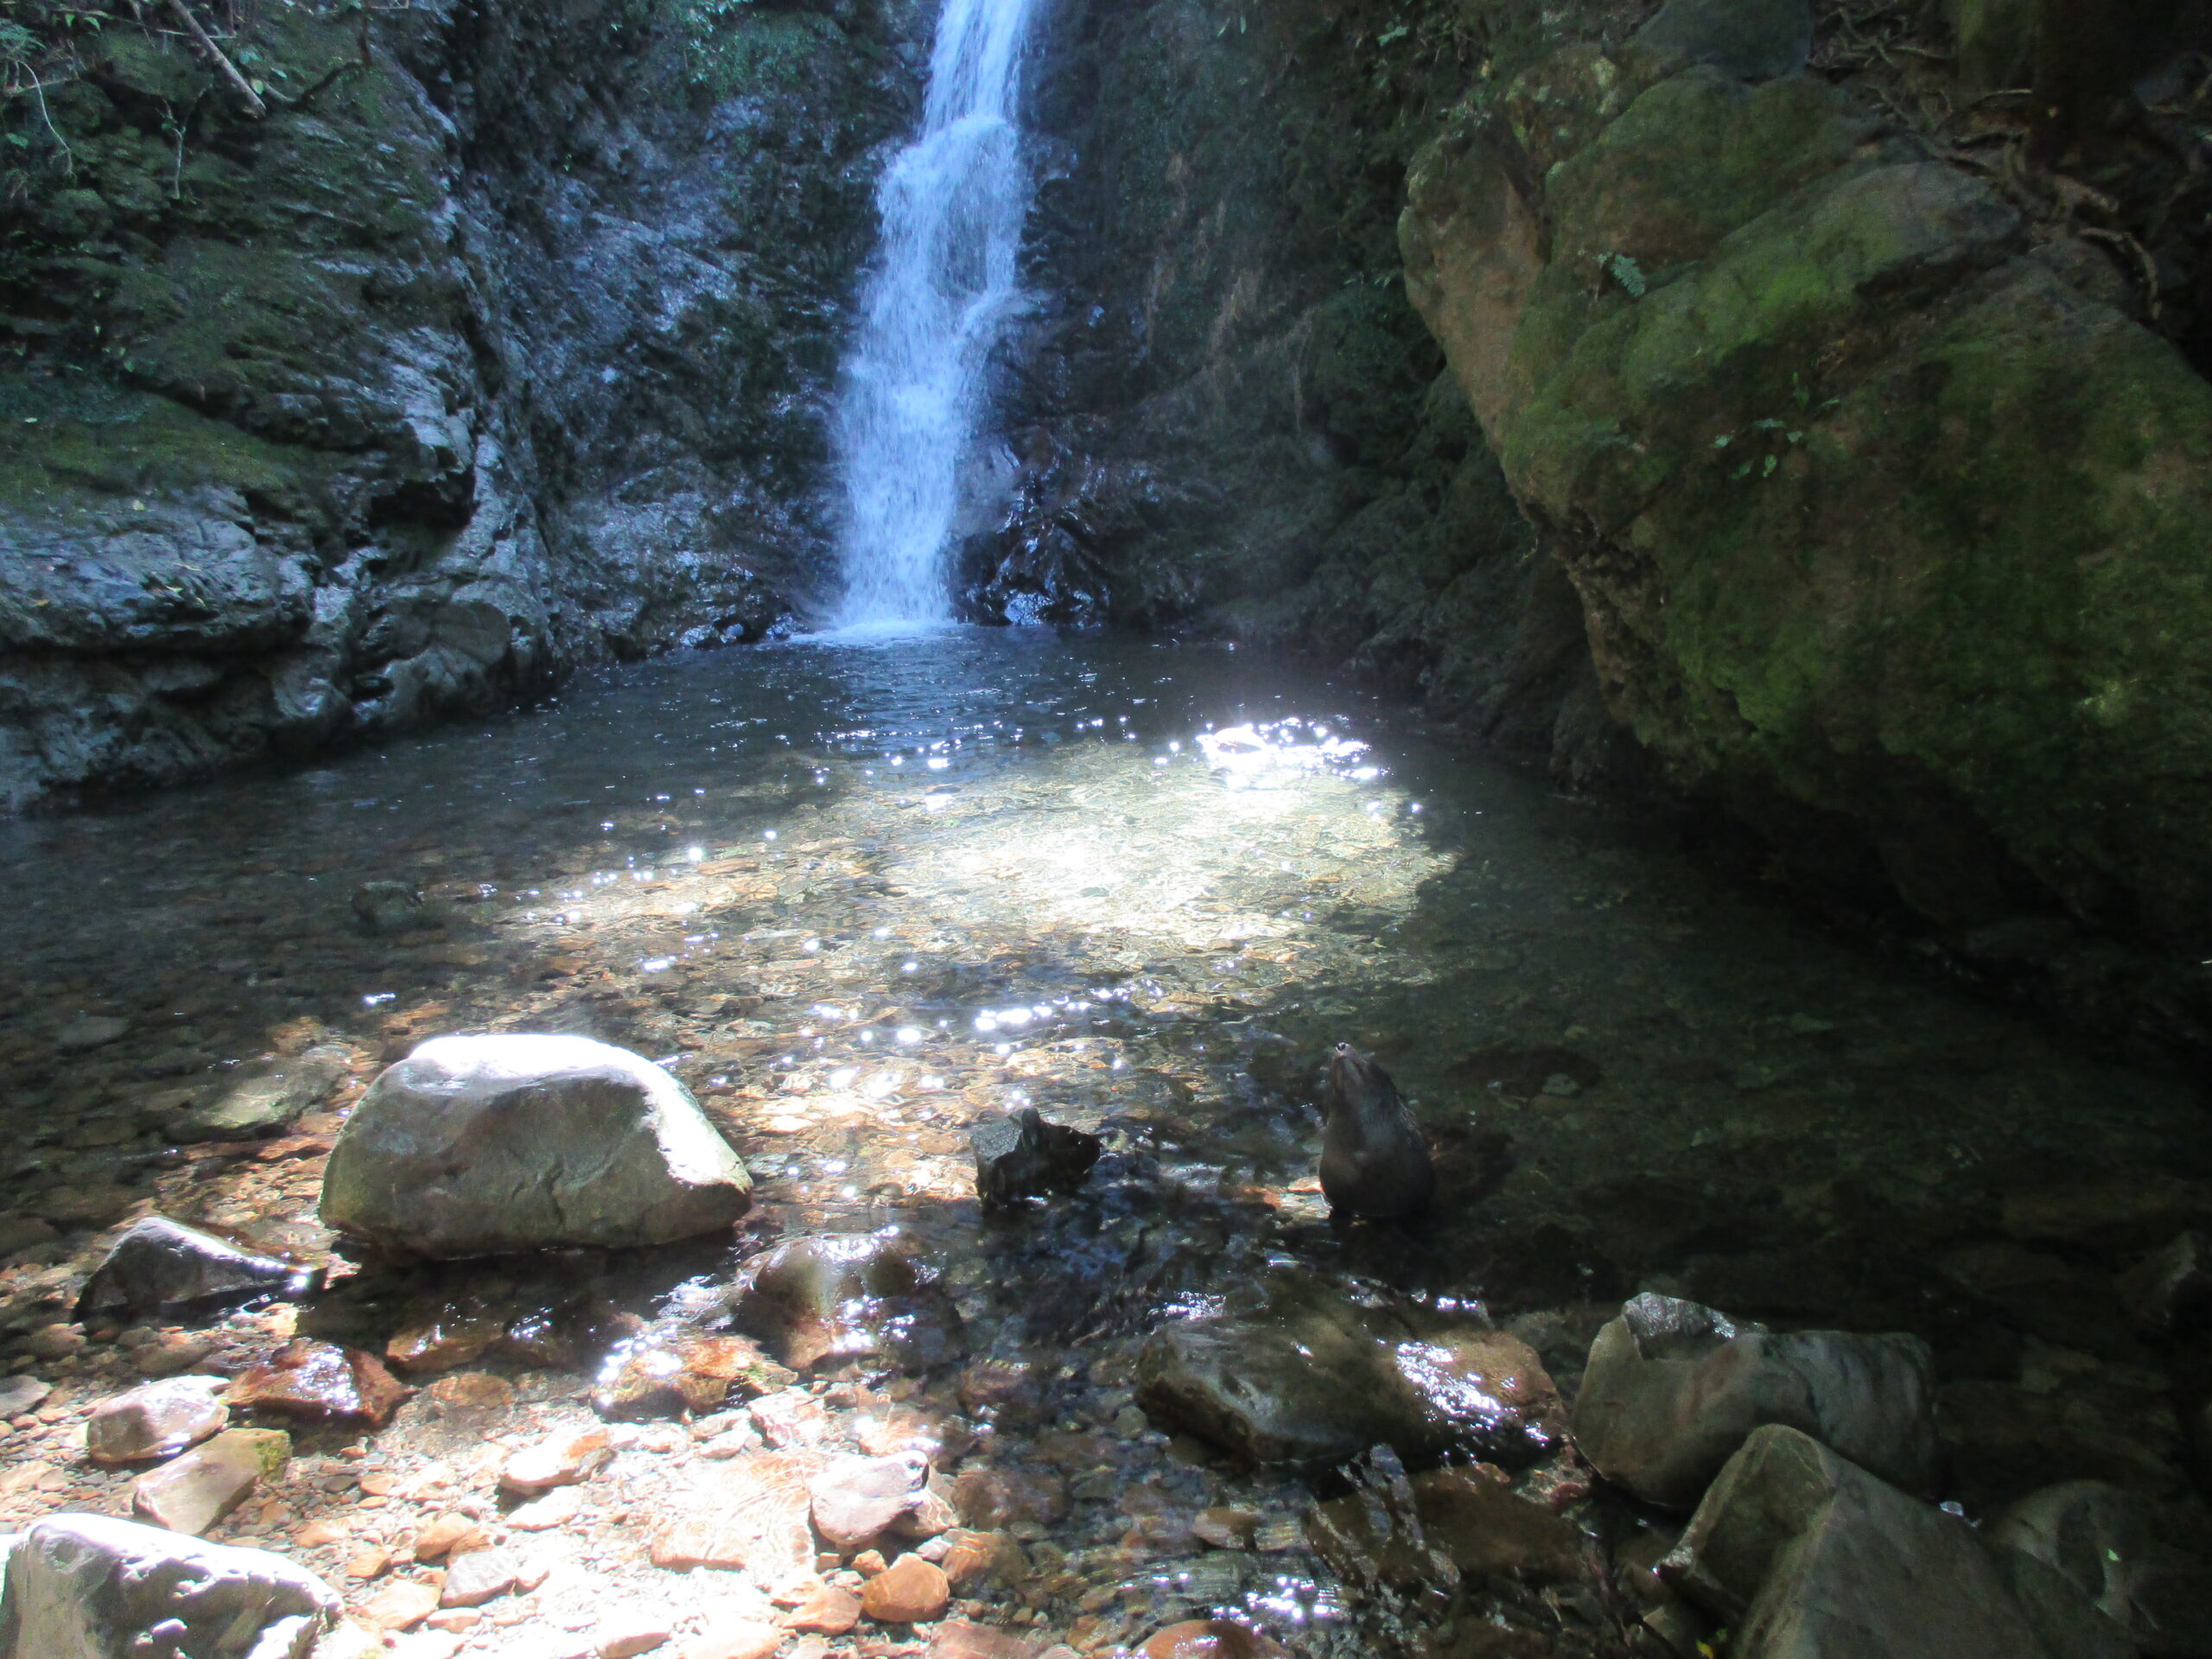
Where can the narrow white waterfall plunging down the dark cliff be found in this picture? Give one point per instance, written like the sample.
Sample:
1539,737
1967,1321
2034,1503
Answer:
937,302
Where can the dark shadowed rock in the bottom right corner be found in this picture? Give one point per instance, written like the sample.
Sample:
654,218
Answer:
2145,1565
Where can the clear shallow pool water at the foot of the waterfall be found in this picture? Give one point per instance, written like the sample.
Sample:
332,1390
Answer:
864,895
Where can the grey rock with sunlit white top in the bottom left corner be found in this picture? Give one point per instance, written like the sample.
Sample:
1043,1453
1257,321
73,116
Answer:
90,1587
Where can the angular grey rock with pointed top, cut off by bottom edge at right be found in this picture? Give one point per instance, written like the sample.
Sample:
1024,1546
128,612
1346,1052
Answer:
1802,1552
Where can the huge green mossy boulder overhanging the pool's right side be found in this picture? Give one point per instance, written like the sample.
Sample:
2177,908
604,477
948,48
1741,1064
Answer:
1872,517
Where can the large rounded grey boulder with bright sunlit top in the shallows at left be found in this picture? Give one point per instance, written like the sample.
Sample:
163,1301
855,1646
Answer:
477,1147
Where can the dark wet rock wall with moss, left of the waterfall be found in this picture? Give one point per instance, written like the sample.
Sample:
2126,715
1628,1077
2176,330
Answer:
494,353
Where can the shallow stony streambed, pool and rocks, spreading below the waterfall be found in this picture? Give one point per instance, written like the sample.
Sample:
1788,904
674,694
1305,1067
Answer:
1751,1249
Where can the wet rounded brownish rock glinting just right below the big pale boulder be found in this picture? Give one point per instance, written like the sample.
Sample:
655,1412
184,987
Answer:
837,1300
